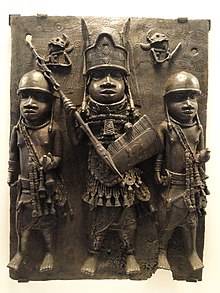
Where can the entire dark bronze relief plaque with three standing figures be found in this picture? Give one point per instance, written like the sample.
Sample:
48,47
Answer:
85,91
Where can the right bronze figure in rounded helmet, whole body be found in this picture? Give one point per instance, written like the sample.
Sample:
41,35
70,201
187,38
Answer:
179,169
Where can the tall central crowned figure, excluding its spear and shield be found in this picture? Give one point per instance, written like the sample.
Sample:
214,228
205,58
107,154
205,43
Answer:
109,111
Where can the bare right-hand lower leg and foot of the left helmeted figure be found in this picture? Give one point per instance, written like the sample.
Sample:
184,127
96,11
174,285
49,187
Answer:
48,261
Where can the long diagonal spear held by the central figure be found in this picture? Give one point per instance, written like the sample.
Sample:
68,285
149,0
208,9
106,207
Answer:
70,108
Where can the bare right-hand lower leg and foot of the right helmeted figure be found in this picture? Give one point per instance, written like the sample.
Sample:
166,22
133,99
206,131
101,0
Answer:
190,243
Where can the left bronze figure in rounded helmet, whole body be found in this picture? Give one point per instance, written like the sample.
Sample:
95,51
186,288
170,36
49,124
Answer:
35,154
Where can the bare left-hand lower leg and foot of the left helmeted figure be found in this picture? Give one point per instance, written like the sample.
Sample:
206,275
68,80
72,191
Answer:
22,249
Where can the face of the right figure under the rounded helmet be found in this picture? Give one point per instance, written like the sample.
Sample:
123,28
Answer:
183,106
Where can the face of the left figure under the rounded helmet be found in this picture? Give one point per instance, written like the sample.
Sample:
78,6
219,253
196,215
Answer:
35,107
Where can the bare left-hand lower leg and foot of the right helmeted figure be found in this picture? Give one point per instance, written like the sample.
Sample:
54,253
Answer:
164,238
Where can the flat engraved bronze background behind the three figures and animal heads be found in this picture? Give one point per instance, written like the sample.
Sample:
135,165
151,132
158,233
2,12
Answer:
147,84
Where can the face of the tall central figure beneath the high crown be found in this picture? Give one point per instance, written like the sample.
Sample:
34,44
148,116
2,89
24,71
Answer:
107,86
